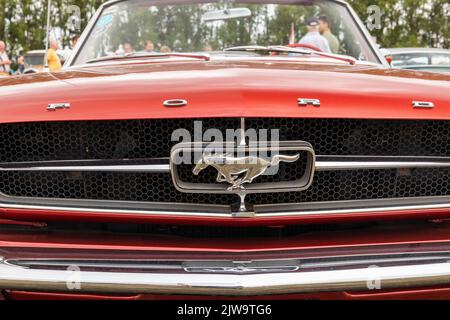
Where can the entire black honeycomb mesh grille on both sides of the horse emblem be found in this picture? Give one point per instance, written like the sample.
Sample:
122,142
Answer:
152,139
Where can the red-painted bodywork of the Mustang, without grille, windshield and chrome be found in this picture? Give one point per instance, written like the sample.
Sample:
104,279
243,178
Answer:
222,88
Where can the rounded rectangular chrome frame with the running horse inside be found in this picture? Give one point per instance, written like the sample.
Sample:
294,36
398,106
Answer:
241,175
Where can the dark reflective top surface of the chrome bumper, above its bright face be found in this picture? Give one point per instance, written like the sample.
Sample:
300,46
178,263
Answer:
236,265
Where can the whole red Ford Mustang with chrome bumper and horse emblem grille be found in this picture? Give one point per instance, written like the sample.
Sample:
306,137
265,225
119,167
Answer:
223,149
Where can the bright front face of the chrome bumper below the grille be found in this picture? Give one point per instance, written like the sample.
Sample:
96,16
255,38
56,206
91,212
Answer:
361,279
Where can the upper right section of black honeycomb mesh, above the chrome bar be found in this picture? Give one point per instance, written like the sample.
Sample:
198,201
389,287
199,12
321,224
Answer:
364,137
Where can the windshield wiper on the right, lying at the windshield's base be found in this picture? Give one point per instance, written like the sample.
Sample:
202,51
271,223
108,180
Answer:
284,49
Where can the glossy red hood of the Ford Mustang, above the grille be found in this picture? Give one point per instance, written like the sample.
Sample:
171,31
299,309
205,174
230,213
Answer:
267,87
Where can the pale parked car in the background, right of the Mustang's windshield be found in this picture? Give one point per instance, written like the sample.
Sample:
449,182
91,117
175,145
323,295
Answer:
421,59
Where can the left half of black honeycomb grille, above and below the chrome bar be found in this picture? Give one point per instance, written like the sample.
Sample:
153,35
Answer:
46,141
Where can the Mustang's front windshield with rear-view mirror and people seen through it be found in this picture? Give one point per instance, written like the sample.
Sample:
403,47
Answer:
145,27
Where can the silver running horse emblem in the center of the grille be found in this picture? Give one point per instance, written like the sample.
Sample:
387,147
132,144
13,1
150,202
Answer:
239,171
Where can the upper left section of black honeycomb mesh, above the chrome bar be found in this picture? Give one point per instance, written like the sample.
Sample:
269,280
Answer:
46,141
